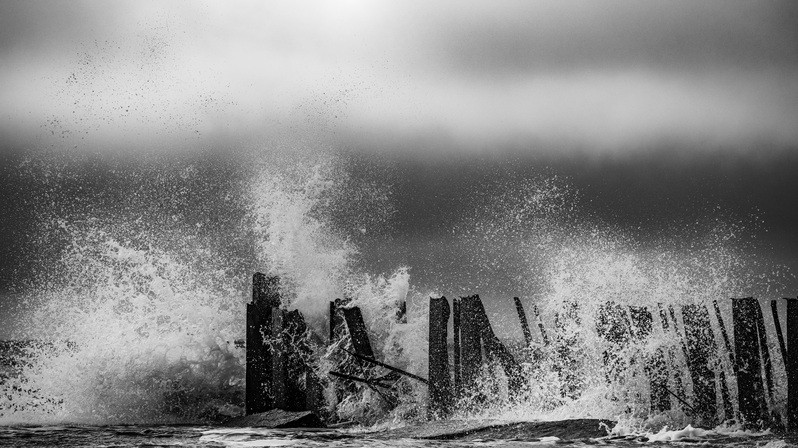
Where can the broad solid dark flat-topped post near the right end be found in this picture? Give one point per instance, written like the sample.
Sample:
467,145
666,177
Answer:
748,367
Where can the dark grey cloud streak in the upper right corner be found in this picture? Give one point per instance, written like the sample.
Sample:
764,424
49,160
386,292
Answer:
549,35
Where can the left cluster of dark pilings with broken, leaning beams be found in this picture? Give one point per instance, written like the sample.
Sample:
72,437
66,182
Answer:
280,373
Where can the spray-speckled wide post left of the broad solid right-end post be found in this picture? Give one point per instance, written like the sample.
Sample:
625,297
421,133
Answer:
700,349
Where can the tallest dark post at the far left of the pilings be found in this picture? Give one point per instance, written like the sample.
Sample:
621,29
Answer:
265,296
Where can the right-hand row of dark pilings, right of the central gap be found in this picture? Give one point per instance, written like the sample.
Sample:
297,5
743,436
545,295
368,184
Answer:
749,358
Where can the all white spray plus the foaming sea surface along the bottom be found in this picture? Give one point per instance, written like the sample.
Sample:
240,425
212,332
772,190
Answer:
129,332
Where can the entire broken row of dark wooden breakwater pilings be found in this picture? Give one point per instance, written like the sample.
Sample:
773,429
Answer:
281,375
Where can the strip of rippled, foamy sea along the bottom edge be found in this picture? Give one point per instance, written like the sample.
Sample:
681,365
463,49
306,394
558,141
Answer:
208,436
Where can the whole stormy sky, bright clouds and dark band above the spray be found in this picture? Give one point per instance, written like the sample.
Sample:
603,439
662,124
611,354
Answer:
660,114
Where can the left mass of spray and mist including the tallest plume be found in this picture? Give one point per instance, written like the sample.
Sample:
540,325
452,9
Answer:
148,308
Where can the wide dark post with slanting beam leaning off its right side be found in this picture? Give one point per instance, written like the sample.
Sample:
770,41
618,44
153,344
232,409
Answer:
470,347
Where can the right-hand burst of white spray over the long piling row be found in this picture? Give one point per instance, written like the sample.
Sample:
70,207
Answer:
573,267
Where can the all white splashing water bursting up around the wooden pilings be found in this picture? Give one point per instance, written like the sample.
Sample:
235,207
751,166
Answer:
142,324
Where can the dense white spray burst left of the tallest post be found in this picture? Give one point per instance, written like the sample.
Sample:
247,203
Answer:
149,340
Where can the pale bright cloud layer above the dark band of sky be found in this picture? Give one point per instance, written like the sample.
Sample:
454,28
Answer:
604,77
